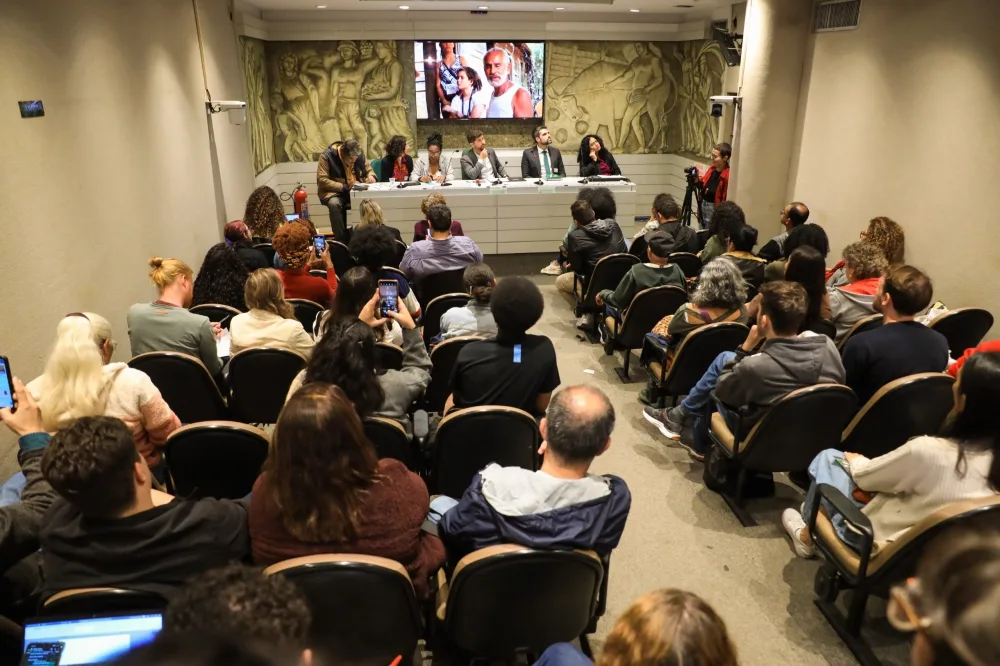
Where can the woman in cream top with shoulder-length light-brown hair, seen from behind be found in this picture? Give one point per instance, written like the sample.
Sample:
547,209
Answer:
271,320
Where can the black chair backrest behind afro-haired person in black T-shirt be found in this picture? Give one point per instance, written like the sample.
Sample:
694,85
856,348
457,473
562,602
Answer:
469,439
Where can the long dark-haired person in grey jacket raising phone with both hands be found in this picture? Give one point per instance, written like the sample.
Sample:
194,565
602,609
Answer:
345,357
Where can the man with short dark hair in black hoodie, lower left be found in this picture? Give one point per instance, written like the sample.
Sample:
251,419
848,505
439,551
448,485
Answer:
107,529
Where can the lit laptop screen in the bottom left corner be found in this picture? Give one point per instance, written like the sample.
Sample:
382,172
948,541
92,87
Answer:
90,640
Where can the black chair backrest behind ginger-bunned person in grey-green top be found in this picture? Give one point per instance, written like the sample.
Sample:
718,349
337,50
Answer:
185,384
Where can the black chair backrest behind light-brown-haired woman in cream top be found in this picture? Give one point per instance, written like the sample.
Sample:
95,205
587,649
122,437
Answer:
259,380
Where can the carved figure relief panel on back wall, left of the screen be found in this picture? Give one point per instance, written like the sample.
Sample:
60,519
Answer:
326,91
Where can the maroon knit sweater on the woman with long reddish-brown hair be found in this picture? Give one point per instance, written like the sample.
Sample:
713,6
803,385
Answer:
391,517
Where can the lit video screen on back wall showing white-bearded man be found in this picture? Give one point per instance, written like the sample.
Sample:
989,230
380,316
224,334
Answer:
465,80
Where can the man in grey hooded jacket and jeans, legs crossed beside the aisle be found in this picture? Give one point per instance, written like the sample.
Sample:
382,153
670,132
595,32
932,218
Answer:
753,381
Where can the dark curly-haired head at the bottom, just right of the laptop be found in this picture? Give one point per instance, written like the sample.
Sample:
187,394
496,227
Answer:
239,601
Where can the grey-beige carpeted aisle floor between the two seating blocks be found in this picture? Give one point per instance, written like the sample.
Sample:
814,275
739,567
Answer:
680,534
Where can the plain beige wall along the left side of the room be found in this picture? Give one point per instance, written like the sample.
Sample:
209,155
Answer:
121,166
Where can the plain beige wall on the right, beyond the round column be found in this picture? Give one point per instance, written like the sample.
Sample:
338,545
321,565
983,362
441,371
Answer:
900,118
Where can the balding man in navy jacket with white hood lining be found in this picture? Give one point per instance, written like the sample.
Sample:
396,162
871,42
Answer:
560,506
